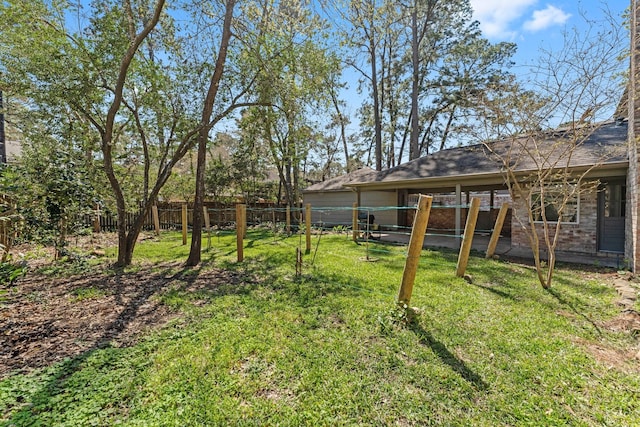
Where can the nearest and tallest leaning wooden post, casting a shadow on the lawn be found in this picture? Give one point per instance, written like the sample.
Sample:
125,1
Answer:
418,231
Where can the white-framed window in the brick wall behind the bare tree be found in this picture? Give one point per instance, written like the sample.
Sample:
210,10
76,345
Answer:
556,197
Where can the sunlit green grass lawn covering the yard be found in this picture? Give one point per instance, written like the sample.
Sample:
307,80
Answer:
329,348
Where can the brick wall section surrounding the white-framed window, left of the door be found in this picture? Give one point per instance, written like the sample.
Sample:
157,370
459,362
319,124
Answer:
579,237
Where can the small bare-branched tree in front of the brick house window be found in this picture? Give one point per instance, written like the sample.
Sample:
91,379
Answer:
545,126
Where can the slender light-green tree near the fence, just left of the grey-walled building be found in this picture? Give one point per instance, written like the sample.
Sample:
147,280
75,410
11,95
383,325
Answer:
295,70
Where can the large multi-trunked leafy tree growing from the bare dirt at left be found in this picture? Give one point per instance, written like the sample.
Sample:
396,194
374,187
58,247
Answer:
145,86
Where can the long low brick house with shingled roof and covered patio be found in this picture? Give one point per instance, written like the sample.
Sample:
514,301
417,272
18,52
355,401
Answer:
595,222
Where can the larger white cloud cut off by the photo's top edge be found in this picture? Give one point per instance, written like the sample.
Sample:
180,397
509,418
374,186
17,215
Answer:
497,16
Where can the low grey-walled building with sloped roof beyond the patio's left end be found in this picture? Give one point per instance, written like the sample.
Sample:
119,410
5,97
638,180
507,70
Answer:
332,201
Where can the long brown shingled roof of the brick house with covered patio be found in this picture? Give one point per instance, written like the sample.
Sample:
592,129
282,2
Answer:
603,145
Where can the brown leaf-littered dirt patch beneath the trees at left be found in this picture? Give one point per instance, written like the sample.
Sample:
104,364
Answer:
44,320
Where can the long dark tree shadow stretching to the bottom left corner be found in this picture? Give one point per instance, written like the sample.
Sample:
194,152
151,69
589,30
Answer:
135,296
